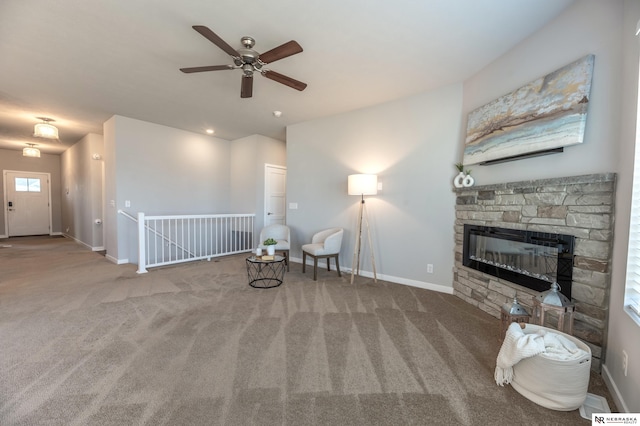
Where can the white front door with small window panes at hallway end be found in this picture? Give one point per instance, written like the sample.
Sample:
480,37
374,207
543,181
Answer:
27,203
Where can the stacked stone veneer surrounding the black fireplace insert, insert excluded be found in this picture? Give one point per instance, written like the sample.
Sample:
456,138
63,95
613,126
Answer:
581,206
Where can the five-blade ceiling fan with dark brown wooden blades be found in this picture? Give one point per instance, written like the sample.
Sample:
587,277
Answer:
250,61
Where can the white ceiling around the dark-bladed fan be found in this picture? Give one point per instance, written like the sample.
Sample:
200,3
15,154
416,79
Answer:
80,62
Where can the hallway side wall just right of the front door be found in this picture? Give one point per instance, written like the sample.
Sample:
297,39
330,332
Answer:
82,198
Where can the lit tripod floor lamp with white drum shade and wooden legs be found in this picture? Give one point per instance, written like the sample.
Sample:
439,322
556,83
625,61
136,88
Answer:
362,185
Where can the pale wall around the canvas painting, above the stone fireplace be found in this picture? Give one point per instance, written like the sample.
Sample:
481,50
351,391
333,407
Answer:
586,27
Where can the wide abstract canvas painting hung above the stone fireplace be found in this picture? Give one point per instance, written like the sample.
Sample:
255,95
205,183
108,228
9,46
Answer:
548,113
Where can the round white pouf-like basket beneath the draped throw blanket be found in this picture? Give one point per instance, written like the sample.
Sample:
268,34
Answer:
553,383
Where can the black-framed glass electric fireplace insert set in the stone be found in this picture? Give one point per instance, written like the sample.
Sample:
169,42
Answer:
531,259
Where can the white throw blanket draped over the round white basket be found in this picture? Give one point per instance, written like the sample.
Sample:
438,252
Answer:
518,345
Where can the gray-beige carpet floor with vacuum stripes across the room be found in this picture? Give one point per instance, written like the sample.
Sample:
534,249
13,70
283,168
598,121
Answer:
87,342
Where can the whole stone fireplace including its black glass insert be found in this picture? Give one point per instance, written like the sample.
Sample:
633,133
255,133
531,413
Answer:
573,214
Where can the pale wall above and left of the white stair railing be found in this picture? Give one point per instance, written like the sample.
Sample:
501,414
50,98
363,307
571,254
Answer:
160,170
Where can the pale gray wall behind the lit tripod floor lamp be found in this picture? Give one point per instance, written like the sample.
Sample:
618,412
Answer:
412,144
